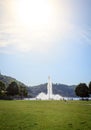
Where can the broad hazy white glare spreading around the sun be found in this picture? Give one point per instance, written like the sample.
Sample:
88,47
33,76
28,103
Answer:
36,23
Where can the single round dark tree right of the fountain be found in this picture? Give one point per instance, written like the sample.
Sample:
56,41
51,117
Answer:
82,90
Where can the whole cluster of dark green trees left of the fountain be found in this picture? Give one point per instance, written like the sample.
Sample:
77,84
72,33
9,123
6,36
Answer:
12,91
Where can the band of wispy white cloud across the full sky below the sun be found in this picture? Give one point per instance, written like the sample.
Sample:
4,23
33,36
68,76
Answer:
22,40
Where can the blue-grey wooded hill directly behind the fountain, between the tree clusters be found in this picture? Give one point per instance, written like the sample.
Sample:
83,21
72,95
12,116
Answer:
61,89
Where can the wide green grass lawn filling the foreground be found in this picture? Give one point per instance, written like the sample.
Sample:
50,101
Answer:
45,115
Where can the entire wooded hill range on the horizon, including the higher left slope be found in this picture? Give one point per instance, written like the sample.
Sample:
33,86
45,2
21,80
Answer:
63,90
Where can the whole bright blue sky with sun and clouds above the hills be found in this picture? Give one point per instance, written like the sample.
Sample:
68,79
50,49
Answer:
41,38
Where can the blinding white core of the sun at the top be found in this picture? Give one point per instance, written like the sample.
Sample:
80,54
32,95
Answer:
33,13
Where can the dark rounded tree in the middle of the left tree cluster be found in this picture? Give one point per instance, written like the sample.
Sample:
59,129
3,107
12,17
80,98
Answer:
12,89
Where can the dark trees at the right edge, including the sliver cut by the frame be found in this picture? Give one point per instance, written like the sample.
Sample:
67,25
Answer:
83,90
